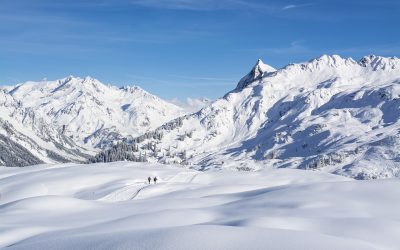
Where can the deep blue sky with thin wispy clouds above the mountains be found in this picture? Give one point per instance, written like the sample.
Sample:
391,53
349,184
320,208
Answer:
180,48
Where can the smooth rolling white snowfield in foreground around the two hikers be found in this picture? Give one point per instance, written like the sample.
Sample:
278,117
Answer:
110,206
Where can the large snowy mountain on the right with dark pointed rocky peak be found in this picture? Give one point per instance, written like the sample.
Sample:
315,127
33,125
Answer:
331,113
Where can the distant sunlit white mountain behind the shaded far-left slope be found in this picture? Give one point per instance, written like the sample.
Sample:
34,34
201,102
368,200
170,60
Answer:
94,114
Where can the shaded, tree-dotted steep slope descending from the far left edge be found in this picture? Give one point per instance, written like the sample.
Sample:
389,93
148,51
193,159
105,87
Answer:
26,139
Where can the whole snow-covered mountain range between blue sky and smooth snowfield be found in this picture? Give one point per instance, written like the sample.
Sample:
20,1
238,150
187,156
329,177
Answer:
329,114
